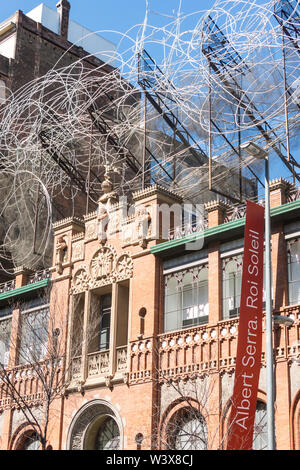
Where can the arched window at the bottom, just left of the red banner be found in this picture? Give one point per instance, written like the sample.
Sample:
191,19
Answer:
188,431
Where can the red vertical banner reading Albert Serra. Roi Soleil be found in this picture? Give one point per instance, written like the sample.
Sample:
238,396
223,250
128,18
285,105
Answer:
248,357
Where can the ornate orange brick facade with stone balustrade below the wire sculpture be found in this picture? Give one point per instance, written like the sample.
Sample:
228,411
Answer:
158,369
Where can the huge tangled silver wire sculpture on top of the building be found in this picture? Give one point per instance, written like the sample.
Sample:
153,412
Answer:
173,108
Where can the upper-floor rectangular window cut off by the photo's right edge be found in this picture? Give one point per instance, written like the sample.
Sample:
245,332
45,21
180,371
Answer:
293,253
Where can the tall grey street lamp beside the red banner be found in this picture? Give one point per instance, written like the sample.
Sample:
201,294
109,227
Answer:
259,153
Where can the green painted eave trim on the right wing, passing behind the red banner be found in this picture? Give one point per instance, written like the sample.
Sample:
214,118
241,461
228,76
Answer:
219,229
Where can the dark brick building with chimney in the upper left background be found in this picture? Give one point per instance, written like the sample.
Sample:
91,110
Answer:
36,49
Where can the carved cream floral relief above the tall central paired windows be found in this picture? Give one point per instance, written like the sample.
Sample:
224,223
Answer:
105,268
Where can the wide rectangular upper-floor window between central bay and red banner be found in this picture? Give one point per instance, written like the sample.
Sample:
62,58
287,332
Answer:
186,298
